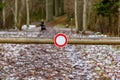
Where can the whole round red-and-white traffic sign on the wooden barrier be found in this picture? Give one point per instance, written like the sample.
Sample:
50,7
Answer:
60,40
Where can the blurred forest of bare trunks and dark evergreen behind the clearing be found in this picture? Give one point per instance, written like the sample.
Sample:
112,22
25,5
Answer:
94,15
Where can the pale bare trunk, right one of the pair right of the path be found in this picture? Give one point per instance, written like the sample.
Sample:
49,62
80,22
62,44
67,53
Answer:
84,15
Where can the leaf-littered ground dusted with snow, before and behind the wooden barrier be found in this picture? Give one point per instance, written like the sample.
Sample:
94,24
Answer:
47,62
